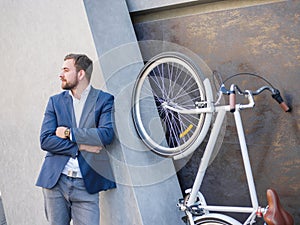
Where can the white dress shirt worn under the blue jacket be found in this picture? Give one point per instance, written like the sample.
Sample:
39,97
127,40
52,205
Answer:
78,105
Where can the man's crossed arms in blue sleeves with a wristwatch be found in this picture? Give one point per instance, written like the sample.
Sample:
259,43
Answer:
91,138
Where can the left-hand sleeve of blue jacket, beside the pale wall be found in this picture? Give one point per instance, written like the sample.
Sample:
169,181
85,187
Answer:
49,141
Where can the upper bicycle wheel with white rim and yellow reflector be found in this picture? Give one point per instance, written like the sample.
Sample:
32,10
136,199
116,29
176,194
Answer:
170,78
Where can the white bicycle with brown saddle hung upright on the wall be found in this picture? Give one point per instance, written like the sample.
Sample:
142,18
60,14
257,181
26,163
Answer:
173,107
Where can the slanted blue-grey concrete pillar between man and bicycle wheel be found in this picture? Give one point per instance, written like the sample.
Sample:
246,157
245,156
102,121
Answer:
147,184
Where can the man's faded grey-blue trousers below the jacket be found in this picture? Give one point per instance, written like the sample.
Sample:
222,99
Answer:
69,200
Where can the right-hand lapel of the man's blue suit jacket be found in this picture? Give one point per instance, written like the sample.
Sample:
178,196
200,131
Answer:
88,106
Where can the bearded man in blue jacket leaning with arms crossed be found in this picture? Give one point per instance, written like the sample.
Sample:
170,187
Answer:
77,126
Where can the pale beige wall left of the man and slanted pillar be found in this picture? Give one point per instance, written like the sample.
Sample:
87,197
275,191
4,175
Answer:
35,36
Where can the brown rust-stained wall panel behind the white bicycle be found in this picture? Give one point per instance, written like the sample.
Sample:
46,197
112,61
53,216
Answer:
244,36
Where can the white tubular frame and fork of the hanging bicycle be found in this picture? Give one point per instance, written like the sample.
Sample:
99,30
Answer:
221,112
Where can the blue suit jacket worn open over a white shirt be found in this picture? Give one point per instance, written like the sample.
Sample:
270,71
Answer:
95,128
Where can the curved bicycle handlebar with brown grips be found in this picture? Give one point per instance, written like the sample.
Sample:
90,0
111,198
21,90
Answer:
232,95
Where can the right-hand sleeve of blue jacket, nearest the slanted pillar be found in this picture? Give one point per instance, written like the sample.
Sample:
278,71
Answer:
102,132
